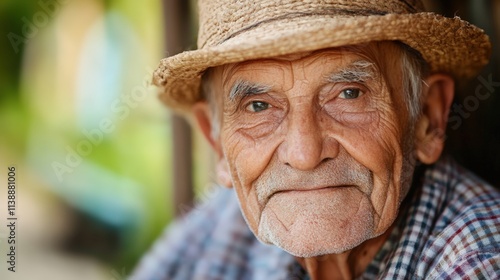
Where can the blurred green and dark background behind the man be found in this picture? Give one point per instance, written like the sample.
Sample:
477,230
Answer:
101,166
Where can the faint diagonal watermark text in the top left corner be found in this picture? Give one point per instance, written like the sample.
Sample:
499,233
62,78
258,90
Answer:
32,25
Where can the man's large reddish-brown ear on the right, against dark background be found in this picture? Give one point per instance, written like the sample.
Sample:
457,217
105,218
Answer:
430,128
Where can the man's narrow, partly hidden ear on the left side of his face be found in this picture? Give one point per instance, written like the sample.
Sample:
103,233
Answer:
203,116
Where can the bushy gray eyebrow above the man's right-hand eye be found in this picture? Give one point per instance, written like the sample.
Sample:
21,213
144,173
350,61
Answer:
359,71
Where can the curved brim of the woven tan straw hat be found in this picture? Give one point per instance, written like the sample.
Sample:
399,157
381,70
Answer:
449,45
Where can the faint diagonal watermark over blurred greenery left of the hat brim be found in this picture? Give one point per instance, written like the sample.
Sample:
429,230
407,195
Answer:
121,107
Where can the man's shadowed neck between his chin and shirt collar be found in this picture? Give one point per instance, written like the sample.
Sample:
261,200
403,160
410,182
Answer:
347,265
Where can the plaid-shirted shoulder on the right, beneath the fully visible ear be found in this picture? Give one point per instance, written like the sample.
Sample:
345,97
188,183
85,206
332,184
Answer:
465,240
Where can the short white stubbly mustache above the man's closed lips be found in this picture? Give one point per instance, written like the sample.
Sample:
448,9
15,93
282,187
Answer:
339,172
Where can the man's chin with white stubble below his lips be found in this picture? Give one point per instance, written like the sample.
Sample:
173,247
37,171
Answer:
312,234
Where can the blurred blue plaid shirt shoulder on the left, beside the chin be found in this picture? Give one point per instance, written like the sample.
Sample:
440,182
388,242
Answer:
211,242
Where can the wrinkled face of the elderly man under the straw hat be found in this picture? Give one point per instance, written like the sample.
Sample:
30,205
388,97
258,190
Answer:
317,145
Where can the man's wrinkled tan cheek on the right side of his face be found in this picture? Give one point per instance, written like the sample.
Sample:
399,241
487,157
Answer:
374,140
